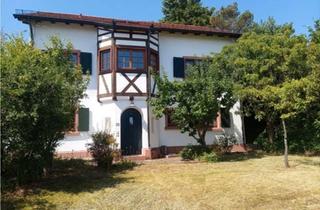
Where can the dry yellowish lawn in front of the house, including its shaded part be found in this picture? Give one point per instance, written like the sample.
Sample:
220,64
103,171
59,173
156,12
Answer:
239,182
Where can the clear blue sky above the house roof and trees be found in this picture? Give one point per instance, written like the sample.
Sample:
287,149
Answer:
301,13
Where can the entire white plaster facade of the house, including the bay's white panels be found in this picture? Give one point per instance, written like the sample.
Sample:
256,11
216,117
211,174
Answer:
105,113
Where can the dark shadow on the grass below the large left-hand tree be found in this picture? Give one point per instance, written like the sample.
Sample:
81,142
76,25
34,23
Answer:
70,176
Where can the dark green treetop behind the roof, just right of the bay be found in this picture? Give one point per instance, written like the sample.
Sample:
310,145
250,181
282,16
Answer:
186,12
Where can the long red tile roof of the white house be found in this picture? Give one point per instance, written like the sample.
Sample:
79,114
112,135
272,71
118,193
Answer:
105,22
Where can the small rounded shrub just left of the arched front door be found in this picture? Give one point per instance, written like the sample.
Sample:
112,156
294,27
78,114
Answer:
103,149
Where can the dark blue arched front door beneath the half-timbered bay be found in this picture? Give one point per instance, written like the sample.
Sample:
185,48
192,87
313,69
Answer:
131,132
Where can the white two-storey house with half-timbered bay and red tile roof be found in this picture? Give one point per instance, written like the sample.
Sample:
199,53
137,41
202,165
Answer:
118,55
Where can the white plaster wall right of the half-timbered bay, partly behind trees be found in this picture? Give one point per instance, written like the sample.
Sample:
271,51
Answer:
178,45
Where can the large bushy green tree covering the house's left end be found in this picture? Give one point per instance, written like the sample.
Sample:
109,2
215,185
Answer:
40,91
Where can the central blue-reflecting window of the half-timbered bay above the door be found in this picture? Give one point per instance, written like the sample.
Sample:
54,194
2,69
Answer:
131,59
